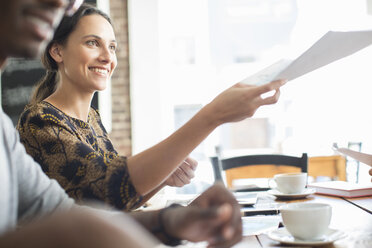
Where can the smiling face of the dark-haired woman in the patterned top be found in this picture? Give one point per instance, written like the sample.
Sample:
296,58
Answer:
89,58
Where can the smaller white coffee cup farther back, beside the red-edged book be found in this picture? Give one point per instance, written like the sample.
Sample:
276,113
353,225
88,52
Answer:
290,183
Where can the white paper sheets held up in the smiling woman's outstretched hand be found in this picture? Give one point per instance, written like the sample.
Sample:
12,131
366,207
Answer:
333,46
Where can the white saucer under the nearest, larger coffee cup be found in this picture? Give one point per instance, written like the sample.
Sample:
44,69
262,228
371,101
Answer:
283,236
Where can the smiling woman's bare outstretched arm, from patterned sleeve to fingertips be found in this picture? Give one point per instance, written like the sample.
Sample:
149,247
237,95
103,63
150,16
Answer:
149,168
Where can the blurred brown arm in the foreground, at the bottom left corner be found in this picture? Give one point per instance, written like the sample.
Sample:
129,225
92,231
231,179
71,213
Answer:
80,228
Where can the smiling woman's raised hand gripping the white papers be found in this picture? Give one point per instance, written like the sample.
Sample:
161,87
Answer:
241,101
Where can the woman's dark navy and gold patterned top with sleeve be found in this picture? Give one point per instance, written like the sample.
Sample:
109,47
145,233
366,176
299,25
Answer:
78,154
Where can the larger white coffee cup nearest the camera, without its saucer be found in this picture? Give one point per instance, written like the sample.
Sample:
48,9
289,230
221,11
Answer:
306,221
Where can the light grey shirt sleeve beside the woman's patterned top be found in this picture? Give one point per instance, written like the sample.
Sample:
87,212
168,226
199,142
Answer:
35,194
